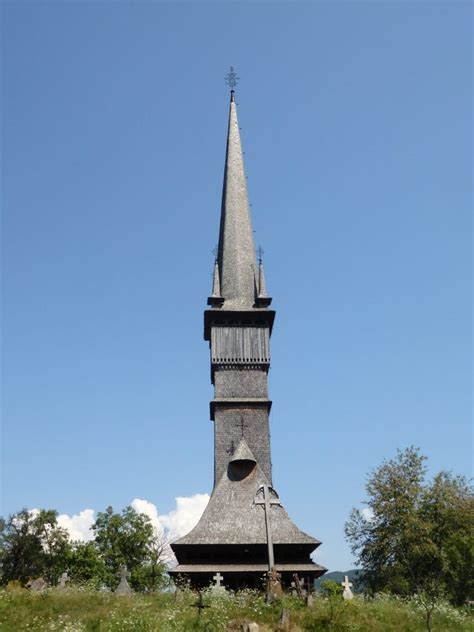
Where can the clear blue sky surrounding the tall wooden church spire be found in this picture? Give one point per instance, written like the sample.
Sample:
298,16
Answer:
356,126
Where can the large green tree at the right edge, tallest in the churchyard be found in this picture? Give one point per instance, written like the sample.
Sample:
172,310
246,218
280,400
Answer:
417,536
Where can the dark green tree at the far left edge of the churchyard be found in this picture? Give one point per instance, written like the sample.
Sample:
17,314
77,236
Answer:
32,545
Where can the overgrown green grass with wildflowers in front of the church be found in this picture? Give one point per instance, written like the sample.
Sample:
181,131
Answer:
83,611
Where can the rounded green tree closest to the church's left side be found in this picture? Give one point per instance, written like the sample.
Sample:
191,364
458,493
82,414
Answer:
125,538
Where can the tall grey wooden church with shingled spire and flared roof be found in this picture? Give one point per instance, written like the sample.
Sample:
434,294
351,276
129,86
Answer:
231,537
